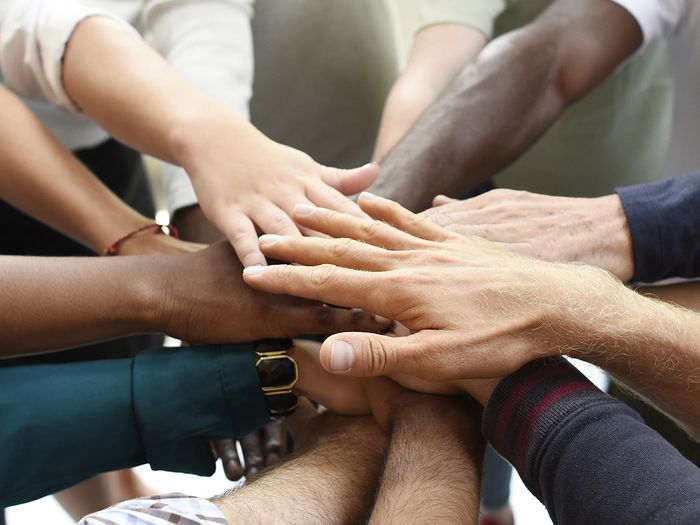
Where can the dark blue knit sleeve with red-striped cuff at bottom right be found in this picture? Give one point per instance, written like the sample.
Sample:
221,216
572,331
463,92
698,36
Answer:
586,456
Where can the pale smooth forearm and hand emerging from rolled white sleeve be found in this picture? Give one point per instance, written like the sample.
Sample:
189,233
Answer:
243,180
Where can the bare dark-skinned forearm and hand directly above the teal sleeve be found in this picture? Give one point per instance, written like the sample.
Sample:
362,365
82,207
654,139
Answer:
77,301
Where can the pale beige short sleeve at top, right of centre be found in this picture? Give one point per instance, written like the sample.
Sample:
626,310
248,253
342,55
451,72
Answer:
479,14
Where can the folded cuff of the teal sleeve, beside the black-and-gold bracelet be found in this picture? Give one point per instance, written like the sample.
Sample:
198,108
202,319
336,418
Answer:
186,397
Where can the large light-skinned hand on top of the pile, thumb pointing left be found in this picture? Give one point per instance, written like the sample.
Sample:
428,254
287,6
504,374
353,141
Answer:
474,309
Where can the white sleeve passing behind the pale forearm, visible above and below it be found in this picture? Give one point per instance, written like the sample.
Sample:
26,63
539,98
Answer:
210,44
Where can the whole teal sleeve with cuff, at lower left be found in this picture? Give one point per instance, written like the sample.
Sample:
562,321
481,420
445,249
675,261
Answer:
61,424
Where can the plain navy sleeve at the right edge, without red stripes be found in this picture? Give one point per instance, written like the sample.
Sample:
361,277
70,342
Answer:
664,221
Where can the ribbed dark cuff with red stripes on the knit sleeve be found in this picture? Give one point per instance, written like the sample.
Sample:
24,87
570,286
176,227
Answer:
527,408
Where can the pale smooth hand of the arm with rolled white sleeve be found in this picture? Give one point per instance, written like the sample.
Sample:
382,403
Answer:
245,182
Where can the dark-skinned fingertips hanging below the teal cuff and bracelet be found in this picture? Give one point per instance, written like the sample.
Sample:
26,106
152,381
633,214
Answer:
261,448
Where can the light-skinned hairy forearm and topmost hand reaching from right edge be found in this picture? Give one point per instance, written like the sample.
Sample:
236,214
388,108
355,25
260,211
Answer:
469,321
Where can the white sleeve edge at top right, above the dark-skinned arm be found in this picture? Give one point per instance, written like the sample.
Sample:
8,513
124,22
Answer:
657,18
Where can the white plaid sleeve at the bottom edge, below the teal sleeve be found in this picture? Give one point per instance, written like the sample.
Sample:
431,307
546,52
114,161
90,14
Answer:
168,509
